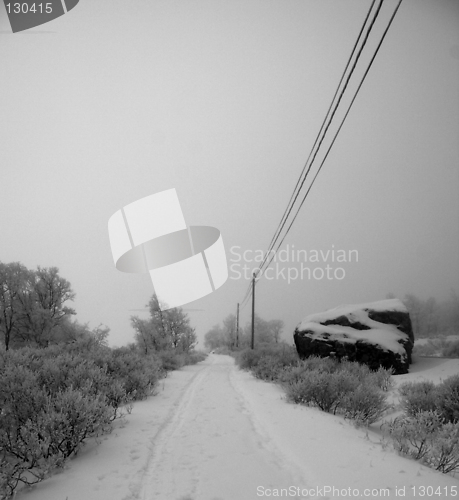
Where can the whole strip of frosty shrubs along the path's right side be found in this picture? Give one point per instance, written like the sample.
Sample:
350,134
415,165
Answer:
427,431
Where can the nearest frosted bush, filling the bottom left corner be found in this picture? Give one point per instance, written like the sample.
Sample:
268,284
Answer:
40,428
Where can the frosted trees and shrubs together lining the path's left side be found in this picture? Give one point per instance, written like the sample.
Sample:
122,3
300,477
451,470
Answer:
60,382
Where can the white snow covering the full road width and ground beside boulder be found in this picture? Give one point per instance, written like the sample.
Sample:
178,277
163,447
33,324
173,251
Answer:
214,432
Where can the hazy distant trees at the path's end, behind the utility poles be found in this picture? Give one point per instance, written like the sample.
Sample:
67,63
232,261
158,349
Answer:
225,336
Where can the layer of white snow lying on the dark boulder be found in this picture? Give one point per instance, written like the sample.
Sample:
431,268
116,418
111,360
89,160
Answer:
386,336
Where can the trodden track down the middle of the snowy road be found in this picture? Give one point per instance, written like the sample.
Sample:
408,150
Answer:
212,448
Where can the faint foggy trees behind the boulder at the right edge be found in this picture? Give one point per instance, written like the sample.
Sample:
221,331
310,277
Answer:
432,318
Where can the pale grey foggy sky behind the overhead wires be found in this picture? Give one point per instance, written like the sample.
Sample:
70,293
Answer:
222,100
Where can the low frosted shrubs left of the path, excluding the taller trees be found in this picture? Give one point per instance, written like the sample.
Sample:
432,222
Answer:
53,399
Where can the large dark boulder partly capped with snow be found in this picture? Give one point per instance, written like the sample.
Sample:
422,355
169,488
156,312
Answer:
377,334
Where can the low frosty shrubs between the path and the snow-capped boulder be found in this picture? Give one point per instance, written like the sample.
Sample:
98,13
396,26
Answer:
343,388
